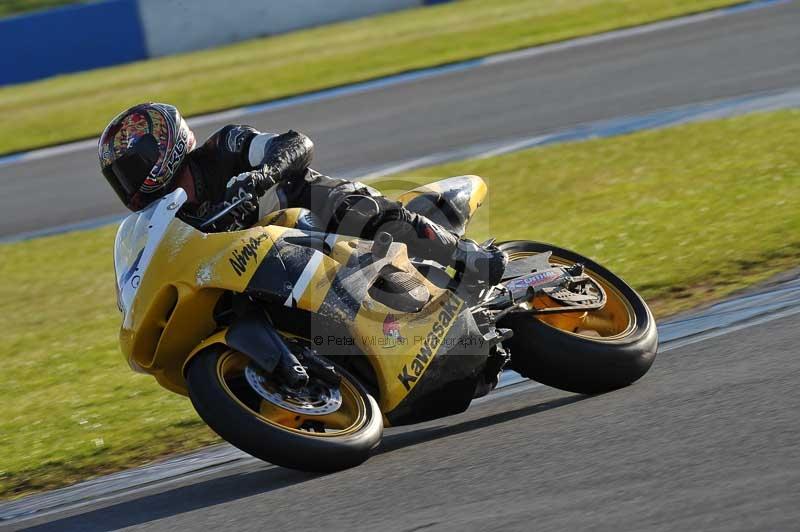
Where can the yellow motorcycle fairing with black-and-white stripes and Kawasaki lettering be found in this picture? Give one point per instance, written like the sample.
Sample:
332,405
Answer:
172,277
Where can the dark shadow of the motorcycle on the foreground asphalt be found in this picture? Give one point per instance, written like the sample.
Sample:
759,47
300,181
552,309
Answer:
240,485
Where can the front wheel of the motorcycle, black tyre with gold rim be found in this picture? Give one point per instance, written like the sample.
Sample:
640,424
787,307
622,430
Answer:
320,441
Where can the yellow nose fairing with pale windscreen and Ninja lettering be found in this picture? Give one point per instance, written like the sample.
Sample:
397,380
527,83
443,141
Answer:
174,294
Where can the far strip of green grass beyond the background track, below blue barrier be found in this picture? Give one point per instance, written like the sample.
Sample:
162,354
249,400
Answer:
80,105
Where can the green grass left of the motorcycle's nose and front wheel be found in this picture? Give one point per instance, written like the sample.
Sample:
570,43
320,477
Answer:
73,407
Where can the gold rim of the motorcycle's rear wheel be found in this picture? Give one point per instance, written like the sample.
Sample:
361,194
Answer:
615,320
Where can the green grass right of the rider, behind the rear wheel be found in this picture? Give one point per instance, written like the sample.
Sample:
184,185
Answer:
686,214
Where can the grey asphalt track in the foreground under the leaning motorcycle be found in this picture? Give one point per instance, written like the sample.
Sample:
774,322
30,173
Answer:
709,439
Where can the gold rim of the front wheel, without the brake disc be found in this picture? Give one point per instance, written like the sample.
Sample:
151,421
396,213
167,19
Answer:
349,418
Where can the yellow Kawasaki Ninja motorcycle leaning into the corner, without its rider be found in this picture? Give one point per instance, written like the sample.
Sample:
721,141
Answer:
299,346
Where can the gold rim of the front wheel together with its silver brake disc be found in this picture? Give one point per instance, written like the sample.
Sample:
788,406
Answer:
308,412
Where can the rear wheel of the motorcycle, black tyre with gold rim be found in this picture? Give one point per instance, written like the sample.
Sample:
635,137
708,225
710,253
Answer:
592,352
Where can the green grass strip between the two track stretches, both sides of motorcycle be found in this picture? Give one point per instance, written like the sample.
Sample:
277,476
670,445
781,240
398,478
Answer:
686,215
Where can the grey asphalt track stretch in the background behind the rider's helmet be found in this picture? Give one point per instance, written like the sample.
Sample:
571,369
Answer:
724,57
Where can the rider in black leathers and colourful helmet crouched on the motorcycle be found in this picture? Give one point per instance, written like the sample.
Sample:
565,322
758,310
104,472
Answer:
148,151
